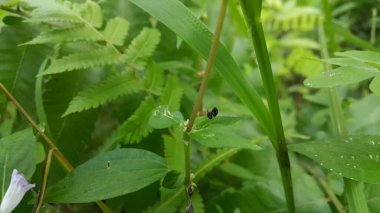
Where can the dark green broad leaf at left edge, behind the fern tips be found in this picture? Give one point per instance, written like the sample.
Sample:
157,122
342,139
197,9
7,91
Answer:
20,64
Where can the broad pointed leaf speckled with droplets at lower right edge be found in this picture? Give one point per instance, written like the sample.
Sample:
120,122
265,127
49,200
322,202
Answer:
356,157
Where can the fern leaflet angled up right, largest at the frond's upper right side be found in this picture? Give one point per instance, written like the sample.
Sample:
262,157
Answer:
142,47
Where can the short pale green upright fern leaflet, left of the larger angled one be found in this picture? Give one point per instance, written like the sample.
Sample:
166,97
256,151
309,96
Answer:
116,31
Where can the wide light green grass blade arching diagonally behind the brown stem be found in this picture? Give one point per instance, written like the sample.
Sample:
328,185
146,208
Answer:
180,19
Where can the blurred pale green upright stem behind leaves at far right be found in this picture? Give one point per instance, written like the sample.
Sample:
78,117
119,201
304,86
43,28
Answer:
354,190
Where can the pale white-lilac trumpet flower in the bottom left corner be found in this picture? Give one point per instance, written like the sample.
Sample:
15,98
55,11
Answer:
16,191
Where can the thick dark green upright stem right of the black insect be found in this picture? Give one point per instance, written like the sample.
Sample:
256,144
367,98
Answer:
252,15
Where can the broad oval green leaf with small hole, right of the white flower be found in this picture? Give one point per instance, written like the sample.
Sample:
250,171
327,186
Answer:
110,175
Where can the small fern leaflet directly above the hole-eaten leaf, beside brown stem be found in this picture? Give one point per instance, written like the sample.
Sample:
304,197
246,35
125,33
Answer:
172,94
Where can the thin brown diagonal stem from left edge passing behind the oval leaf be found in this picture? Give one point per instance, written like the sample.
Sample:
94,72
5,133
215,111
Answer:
57,153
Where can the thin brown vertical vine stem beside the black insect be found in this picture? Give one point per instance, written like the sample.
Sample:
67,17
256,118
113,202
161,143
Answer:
202,89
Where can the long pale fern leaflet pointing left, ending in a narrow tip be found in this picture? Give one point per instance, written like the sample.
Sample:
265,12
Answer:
85,60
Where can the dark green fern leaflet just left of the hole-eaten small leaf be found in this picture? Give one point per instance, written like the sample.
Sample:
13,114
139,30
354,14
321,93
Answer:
136,127
